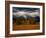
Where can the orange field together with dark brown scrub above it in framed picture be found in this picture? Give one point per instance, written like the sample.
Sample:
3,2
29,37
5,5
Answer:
29,24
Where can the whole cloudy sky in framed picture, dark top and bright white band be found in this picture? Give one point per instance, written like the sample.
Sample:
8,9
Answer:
25,11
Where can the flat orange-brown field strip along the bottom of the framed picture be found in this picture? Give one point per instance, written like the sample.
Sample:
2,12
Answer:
26,27
